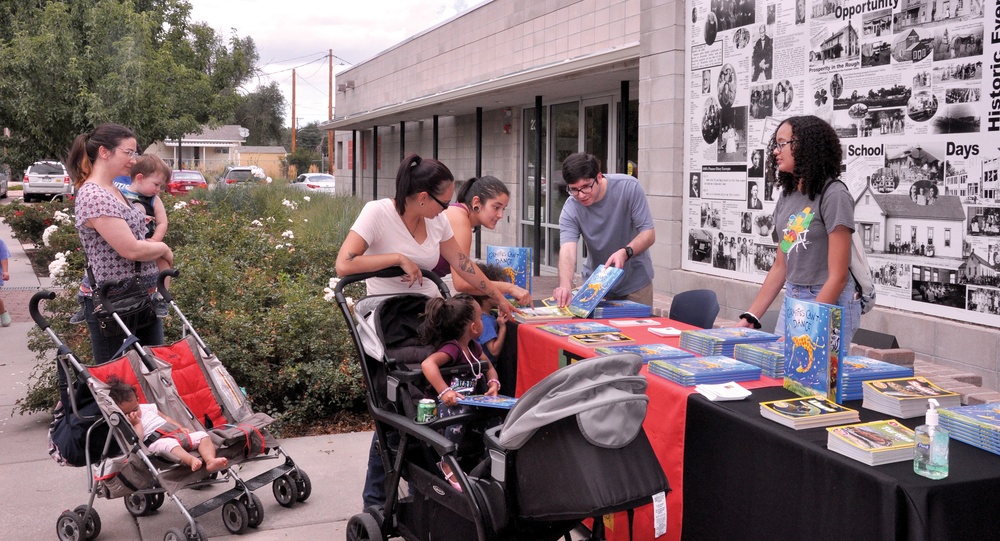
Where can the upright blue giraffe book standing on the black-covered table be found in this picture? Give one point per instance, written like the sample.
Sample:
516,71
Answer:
812,349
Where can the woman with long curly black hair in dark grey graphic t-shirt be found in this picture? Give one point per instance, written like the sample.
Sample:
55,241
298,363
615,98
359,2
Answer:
814,246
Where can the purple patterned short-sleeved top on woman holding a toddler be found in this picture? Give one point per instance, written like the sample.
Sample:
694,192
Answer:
92,201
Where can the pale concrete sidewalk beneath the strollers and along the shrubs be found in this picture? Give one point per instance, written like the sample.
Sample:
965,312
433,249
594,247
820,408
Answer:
36,490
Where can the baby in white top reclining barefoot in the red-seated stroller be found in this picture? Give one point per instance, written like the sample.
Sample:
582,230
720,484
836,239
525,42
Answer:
163,434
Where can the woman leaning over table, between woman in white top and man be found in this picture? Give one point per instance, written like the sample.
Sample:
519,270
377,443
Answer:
480,203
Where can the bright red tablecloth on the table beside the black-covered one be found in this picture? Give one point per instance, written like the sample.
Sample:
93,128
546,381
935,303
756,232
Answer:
540,353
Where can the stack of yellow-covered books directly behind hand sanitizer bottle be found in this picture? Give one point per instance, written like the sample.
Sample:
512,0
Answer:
905,397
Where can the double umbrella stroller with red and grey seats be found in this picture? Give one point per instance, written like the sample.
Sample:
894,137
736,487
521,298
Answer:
187,383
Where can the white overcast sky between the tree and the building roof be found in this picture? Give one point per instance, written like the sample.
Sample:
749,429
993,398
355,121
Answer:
299,34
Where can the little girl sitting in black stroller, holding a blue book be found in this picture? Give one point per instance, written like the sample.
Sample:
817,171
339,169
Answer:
452,326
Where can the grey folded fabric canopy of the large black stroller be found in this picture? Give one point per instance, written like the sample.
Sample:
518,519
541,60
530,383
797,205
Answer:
606,394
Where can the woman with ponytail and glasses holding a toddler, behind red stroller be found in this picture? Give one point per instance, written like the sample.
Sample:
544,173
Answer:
112,231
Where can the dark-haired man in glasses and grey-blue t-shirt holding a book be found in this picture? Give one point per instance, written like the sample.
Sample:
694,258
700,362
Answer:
612,216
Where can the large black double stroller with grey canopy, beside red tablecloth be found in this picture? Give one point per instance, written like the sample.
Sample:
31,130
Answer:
571,449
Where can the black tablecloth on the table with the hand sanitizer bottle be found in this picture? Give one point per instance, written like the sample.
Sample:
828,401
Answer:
748,478
